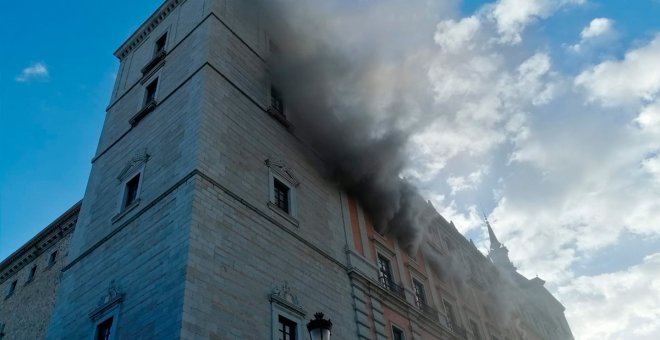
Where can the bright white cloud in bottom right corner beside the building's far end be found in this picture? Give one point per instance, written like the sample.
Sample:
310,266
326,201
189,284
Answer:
619,305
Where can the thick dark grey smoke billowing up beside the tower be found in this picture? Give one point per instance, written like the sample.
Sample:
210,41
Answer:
354,77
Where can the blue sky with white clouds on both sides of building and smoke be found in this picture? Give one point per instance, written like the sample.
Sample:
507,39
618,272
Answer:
555,135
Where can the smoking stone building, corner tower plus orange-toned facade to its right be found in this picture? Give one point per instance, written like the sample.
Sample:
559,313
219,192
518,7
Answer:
205,216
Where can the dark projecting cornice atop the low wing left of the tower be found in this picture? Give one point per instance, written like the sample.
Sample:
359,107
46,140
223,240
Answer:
49,236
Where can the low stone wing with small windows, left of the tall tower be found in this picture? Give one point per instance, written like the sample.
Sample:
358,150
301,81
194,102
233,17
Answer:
34,271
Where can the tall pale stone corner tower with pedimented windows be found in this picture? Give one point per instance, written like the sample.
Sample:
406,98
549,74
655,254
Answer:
202,218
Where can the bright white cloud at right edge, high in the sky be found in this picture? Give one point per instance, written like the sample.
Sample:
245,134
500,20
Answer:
633,79
